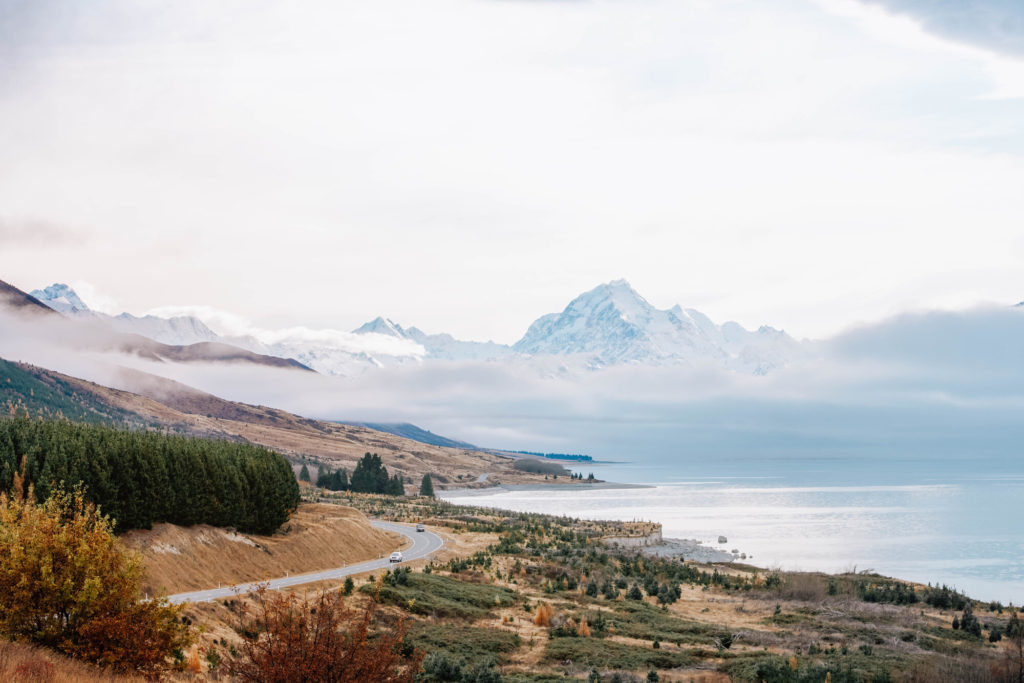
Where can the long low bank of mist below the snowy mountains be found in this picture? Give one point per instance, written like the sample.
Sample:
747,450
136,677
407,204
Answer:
933,388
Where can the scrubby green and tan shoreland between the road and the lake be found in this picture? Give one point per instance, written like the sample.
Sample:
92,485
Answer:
549,601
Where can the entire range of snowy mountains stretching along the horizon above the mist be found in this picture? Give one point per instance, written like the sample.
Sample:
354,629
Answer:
609,326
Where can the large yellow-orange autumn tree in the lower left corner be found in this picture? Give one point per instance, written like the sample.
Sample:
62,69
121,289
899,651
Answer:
68,583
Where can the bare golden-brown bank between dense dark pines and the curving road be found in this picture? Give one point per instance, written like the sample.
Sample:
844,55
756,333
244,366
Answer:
318,537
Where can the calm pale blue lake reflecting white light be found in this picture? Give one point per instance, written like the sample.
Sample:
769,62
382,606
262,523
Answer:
963,528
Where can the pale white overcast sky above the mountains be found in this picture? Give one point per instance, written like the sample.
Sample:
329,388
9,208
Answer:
468,166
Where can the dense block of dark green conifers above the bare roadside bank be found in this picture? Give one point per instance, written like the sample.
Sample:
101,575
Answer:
141,478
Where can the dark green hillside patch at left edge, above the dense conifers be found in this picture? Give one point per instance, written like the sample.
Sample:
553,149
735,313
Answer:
30,392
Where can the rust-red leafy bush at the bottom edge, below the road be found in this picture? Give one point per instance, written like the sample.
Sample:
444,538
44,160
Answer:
321,639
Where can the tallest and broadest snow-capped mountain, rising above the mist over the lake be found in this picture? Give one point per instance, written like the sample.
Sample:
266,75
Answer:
613,325
